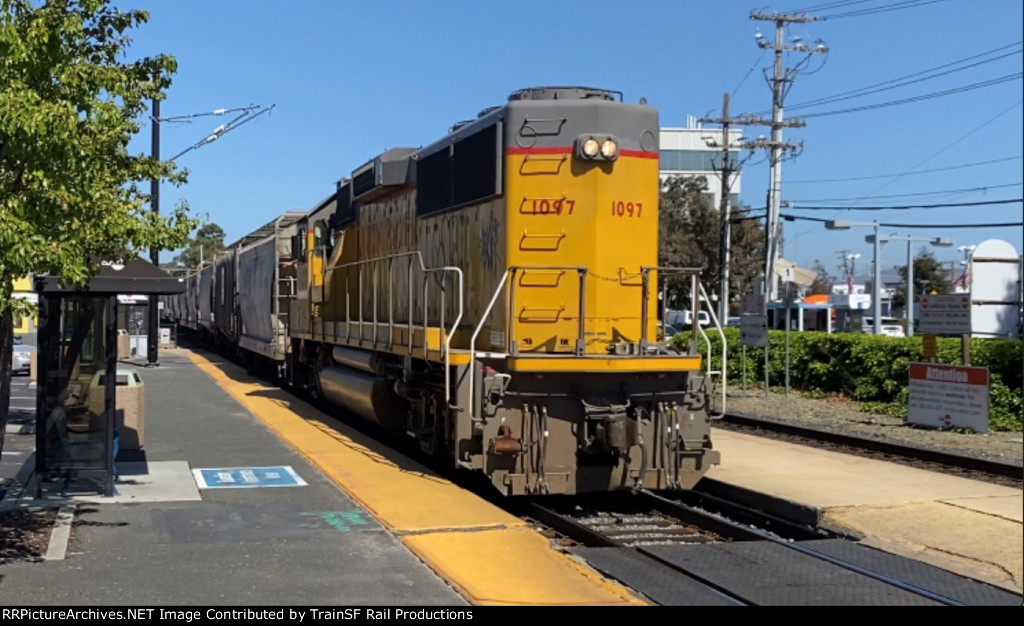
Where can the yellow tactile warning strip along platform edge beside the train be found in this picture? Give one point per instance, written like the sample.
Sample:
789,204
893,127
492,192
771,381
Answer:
490,556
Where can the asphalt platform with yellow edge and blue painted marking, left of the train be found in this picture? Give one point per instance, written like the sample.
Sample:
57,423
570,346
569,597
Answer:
348,521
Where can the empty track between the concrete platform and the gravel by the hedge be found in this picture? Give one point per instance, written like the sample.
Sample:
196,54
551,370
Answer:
1011,475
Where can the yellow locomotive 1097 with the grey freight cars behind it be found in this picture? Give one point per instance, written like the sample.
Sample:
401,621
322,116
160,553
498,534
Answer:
496,297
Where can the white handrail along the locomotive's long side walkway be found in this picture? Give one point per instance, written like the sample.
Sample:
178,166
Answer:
412,257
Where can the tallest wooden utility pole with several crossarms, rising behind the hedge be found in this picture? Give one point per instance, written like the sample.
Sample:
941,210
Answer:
781,84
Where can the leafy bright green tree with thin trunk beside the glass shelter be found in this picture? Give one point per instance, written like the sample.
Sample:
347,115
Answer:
70,190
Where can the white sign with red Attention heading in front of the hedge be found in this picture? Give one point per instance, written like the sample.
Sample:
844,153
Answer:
947,396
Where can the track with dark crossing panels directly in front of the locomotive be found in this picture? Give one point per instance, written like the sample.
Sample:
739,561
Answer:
678,555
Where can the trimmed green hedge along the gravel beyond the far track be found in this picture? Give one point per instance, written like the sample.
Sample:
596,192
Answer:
871,369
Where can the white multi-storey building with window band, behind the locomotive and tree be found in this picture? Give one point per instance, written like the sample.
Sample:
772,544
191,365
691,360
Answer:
687,152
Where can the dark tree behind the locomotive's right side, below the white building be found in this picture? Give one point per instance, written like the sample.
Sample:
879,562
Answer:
691,237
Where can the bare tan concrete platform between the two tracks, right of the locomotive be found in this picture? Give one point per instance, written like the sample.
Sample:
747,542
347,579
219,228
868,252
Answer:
968,527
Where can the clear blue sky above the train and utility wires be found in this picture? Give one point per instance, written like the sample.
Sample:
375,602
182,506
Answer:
350,80
